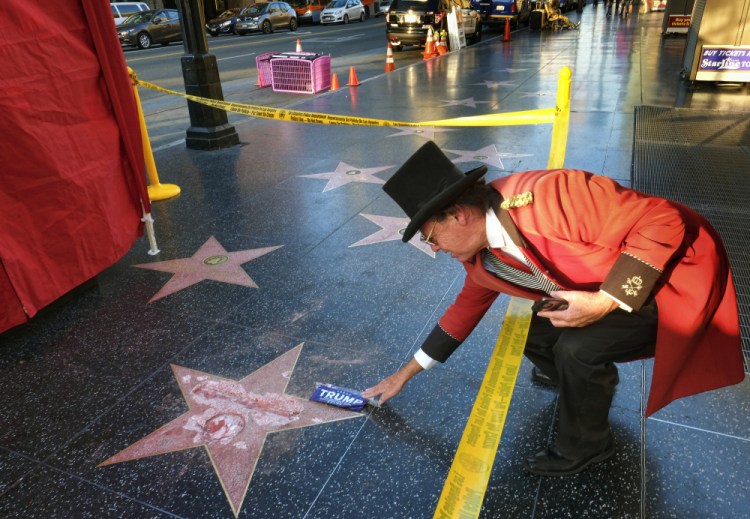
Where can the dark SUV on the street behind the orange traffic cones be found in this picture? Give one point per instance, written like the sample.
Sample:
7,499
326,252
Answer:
407,21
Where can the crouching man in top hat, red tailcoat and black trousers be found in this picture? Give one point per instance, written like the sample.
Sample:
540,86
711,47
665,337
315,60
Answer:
642,276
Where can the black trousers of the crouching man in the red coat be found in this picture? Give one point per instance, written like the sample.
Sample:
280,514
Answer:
581,361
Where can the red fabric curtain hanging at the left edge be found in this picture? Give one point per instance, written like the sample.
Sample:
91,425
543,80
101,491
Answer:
72,178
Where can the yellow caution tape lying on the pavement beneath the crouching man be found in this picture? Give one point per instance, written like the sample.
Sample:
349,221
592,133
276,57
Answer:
469,474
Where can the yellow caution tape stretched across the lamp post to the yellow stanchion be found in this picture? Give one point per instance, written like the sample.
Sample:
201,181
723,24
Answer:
540,116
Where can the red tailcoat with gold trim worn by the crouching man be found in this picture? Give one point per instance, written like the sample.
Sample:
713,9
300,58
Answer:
589,233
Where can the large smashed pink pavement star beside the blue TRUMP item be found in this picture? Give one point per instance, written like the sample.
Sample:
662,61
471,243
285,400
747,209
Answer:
231,420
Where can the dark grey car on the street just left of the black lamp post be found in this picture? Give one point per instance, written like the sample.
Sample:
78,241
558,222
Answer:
149,27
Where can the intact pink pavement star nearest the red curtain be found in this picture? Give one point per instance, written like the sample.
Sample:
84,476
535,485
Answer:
211,261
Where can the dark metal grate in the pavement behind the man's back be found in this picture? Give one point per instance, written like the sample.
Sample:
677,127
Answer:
701,158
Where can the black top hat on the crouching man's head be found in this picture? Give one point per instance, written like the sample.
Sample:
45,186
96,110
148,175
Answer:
426,184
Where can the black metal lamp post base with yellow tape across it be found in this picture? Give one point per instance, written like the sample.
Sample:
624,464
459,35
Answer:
209,127
